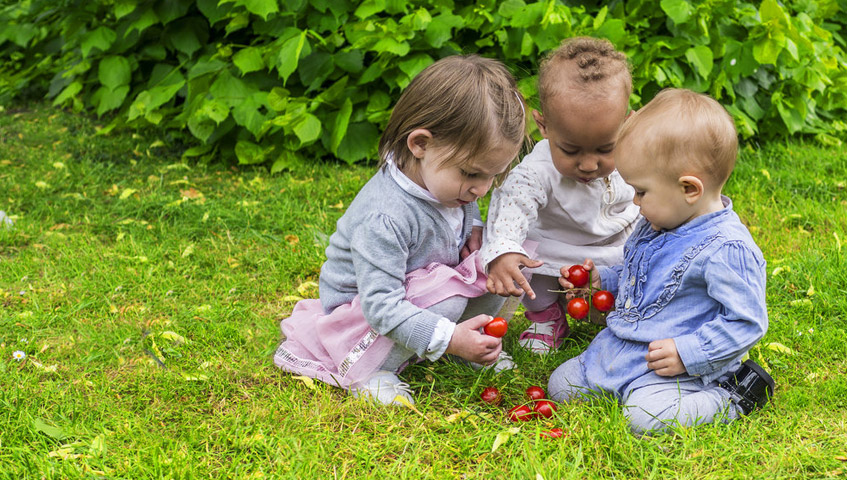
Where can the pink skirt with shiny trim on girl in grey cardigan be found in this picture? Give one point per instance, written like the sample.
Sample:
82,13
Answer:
341,348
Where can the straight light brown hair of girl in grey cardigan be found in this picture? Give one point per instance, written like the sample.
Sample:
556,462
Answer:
467,102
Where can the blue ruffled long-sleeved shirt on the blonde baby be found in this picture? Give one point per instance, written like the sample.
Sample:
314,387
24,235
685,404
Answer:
701,284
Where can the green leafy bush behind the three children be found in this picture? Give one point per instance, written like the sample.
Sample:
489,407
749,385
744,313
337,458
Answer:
280,82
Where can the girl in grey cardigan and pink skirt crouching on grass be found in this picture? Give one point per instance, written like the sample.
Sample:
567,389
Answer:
392,289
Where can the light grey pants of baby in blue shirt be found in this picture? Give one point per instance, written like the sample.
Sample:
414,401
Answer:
655,407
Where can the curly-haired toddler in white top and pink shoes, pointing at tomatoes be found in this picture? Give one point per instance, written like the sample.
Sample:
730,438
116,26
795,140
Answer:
566,194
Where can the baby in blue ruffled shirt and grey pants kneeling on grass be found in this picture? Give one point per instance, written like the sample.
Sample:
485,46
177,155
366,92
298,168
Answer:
690,294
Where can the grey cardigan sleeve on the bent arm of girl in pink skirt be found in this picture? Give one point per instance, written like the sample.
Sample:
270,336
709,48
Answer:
380,250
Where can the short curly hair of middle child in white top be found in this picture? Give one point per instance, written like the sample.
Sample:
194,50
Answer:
595,62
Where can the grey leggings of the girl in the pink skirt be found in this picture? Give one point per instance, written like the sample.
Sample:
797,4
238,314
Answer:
456,309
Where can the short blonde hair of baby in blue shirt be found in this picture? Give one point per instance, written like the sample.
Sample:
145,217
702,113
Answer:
686,133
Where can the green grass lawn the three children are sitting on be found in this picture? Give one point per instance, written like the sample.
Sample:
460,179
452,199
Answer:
117,242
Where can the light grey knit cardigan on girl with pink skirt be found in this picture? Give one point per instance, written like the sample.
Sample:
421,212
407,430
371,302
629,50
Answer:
385,234
